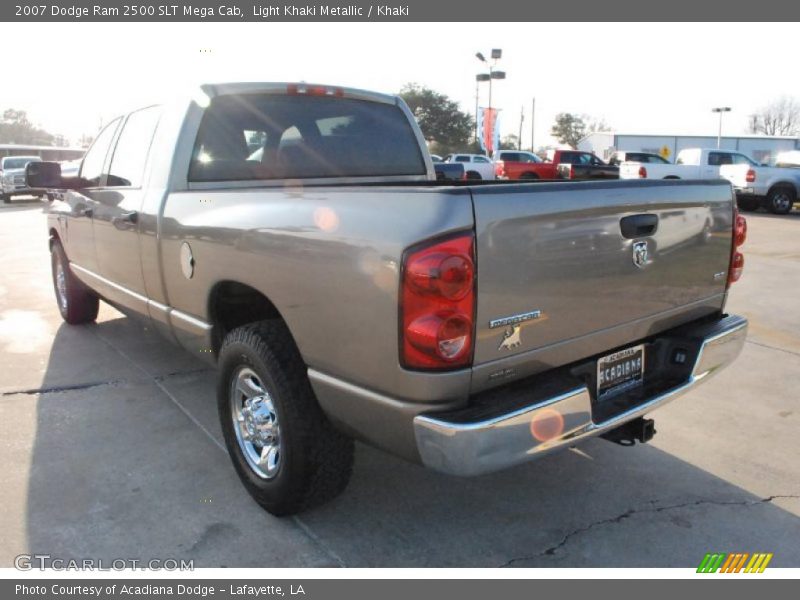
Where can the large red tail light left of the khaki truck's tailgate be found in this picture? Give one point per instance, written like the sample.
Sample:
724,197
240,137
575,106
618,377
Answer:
438,305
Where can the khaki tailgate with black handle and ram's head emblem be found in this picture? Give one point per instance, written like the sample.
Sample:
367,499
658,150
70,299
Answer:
562,274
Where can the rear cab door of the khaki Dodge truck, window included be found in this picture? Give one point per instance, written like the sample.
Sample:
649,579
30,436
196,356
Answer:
116,215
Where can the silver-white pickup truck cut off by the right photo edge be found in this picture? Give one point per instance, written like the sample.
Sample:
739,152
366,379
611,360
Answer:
774,188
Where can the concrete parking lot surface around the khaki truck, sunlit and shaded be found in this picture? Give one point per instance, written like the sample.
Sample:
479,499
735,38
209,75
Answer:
110,448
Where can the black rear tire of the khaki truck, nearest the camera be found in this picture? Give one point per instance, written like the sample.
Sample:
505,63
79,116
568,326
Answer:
315,460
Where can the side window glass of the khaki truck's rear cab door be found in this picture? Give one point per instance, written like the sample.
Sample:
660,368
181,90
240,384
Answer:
133,146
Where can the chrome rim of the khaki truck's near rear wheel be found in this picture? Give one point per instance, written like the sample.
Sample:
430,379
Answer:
255,422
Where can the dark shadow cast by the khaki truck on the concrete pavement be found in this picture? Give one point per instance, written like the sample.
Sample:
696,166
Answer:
127,462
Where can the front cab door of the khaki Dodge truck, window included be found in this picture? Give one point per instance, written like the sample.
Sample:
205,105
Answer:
79,232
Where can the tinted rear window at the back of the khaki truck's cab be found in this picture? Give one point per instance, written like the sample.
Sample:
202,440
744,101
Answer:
268,136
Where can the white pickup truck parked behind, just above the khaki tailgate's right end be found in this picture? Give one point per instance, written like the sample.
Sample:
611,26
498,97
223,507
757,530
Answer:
691,163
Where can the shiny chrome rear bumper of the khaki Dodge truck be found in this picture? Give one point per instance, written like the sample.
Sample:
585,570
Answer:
462,447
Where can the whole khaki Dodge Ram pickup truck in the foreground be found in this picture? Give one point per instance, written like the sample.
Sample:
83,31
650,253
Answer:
346,294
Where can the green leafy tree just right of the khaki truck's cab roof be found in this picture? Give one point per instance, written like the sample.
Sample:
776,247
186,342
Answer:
442,123
